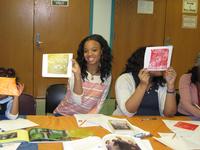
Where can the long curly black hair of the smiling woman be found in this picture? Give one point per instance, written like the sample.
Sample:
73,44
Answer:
105,60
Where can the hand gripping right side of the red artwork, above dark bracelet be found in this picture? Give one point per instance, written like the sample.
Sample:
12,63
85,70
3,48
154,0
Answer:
170,77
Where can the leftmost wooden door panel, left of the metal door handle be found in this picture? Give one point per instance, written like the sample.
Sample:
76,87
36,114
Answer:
16,39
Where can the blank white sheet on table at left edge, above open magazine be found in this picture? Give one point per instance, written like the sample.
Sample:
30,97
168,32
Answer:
20,123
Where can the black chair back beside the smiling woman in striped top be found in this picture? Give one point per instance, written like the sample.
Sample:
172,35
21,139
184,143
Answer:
54,94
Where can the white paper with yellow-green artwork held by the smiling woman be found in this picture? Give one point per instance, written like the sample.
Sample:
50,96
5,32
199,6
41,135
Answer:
57,65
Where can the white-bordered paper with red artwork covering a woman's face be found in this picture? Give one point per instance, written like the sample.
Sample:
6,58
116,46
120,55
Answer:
157,58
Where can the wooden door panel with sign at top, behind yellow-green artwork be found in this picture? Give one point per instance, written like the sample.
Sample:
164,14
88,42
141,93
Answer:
61,29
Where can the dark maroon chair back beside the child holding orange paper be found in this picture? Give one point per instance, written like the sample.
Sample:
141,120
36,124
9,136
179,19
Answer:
27,104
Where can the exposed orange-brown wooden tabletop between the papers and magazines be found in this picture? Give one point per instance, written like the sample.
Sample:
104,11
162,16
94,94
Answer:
154,126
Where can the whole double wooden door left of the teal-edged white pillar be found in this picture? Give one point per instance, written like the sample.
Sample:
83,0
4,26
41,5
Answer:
61,29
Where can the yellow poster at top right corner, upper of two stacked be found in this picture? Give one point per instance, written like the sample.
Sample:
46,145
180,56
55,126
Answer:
190,6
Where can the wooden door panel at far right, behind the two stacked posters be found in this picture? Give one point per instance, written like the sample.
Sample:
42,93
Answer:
186,41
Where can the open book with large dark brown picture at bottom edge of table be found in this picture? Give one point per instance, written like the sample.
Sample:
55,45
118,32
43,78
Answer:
108,142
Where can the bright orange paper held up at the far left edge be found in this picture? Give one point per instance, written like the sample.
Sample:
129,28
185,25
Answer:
8,86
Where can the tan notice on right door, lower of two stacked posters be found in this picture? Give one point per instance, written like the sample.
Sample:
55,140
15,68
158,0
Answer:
189,21
